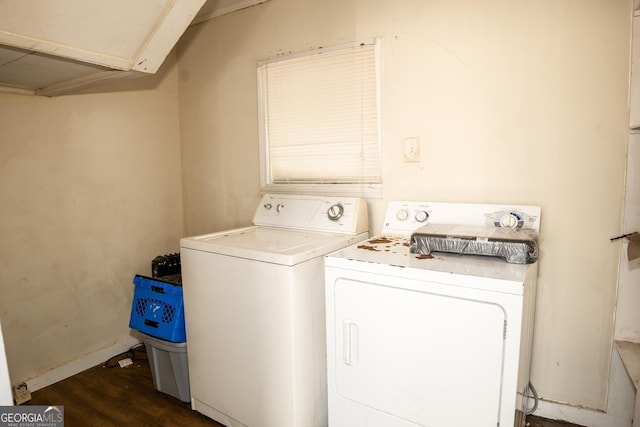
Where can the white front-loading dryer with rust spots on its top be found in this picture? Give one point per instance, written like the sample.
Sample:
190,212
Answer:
429,340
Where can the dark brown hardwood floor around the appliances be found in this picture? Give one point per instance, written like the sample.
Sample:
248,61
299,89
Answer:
102,397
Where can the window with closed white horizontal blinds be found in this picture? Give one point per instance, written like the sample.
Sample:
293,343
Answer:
320,121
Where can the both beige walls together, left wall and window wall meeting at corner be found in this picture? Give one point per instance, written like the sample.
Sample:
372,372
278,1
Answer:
515,102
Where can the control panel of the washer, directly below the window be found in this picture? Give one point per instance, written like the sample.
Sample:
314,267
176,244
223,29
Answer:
344,215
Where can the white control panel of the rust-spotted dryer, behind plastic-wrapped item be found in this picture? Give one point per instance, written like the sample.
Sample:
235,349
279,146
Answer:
403,217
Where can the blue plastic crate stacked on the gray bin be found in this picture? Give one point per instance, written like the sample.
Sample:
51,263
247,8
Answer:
158,309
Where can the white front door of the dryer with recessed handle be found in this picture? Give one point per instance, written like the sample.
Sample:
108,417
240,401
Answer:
426,358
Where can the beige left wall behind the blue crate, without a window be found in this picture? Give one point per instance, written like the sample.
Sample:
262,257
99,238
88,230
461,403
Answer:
91,192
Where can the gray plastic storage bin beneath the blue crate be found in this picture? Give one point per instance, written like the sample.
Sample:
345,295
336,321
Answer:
169,366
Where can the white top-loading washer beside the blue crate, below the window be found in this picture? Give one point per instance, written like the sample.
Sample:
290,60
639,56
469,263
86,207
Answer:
254,311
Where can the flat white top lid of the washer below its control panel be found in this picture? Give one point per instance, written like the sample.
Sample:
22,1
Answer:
271,244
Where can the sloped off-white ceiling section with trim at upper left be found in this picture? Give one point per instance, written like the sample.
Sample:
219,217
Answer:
57,47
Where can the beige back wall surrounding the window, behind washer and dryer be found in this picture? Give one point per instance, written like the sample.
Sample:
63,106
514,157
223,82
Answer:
514,102
